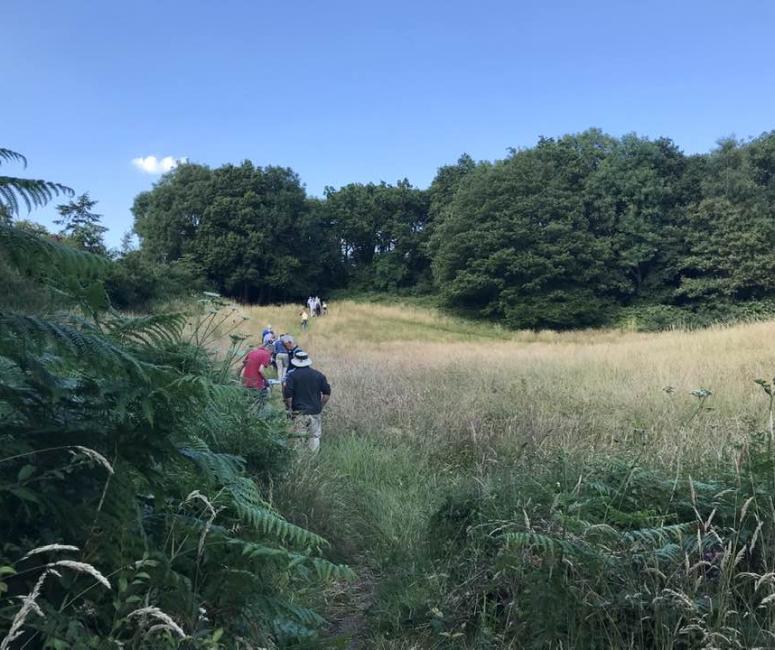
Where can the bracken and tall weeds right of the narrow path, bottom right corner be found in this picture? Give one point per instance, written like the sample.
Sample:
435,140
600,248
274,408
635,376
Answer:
610,554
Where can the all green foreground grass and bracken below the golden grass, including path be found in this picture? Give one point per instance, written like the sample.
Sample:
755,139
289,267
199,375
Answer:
547,550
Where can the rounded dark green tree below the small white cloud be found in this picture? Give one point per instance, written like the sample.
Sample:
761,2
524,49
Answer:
250,230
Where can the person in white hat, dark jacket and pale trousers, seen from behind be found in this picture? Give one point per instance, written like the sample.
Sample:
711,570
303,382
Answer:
306,391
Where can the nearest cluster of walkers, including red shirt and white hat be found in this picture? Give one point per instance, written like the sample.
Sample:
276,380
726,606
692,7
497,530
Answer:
305,389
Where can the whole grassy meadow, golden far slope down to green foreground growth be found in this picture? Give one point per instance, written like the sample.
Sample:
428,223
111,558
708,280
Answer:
465,469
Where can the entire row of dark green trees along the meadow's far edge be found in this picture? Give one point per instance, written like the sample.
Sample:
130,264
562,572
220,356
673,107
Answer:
574,231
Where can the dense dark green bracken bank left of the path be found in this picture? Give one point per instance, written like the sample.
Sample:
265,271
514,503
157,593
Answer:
135,476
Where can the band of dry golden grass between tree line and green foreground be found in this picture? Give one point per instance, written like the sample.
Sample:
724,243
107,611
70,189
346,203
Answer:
402,371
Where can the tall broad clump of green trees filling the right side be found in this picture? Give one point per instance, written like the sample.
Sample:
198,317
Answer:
566,233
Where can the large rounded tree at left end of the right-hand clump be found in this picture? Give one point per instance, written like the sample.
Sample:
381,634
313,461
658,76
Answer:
518,244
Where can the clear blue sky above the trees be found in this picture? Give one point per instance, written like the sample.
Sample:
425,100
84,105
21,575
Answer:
364,91
